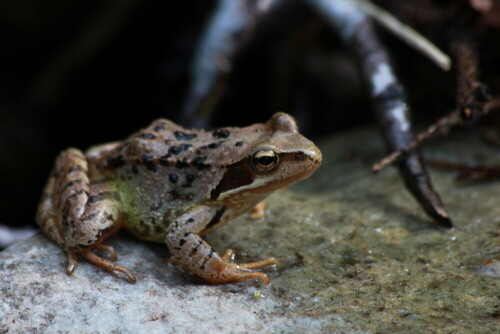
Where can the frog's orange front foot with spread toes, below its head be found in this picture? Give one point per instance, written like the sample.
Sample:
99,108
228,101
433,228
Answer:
234,272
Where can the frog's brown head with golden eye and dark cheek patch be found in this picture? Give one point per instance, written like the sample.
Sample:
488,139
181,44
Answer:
278,157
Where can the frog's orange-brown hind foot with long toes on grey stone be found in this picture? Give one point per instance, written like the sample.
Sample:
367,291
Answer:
95,259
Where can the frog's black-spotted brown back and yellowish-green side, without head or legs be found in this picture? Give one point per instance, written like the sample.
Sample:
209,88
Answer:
164,170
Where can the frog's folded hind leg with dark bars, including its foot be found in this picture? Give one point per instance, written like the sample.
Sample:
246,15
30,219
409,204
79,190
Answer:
79,215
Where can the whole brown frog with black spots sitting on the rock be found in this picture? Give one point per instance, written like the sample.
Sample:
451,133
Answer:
171,184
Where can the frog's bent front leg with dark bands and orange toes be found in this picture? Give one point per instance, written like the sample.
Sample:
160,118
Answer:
185,244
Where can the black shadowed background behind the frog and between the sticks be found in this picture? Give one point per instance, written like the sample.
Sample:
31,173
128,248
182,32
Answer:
51,98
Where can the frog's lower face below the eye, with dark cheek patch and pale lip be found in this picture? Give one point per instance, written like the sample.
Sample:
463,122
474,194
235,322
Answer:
292,167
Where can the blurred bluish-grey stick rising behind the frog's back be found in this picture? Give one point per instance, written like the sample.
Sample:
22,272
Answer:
225,34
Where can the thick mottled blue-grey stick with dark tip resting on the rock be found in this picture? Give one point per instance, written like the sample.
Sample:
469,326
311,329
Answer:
388,96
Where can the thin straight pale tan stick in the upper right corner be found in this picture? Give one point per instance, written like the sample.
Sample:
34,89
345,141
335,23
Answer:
406,33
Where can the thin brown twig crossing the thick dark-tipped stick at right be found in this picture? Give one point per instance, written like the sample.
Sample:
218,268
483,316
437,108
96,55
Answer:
440,127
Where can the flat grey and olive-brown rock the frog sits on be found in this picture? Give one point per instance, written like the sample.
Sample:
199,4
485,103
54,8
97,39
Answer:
358,256
